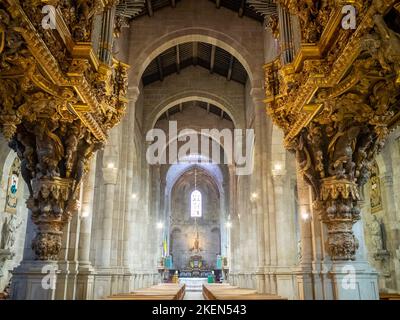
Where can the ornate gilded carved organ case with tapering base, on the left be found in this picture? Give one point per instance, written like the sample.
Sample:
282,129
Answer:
57,105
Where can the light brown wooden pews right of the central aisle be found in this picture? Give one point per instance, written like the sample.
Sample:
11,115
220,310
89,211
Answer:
227,292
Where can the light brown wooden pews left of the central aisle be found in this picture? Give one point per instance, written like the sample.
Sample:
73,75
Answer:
165,291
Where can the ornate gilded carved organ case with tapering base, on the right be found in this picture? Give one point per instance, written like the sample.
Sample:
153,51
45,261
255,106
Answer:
336,103
